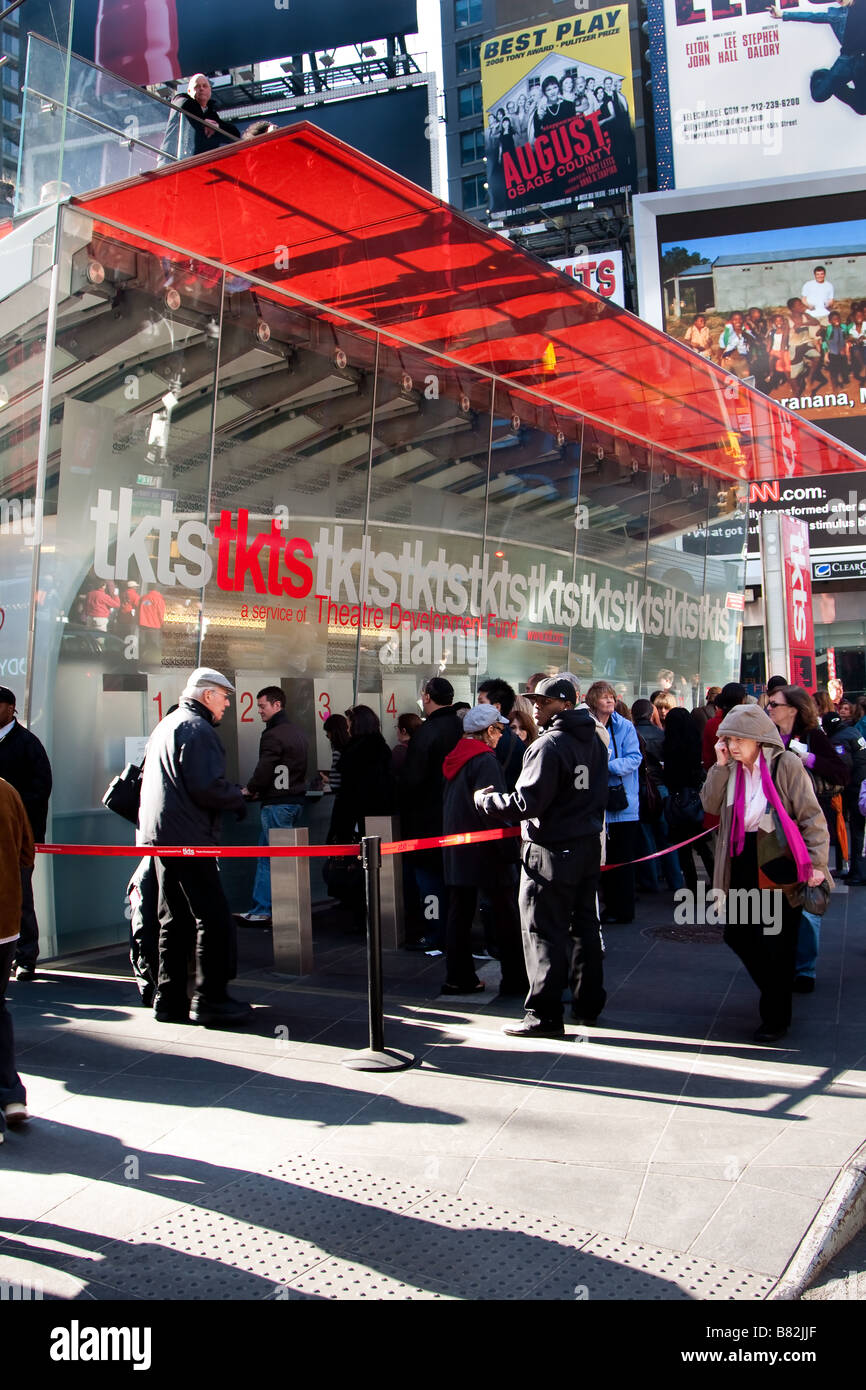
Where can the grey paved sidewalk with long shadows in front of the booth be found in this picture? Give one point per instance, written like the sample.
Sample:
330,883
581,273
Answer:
662,1156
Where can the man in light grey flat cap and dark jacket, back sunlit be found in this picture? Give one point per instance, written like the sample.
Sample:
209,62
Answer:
184,794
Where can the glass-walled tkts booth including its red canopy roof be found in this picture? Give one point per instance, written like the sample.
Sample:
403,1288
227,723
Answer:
309,426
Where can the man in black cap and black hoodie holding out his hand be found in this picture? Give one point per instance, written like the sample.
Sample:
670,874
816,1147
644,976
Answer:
561,800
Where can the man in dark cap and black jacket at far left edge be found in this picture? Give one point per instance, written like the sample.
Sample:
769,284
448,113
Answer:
24,764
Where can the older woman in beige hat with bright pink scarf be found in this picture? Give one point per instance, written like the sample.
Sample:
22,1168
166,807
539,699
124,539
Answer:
772,837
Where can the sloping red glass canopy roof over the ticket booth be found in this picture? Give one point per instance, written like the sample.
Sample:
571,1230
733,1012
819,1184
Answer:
316,219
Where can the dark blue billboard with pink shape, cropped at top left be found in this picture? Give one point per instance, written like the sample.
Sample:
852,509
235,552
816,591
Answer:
155,41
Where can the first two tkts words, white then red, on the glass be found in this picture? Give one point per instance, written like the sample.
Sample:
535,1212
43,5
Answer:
269,561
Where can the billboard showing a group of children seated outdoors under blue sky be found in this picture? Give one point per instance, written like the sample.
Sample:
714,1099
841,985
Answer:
774,290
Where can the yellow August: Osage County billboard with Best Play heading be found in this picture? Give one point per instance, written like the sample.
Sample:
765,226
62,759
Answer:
559,109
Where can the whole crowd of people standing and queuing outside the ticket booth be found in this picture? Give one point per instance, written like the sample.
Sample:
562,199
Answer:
610,800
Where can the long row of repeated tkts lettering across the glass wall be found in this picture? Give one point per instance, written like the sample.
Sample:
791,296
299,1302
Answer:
416,579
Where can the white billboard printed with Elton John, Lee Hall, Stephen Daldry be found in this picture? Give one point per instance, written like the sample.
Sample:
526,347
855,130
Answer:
749,91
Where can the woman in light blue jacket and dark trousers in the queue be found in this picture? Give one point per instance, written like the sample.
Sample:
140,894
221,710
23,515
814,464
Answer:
623,804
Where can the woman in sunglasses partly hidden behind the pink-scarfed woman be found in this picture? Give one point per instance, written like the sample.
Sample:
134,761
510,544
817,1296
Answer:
796,717
